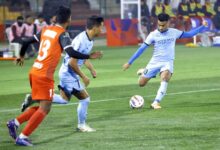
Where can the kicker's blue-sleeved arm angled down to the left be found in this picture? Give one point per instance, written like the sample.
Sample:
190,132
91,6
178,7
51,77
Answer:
140,50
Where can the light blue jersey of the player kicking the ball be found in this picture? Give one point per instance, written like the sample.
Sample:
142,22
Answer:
164,44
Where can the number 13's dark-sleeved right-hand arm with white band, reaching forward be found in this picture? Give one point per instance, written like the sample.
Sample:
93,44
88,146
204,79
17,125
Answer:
65,42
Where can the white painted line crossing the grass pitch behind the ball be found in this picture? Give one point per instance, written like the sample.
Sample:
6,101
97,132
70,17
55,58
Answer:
114,99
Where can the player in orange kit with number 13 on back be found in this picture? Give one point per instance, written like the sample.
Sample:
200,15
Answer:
53,40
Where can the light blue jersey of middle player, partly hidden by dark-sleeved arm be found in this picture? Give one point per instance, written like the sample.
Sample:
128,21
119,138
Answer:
82,44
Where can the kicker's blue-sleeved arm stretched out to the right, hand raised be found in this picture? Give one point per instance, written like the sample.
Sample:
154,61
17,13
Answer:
195,31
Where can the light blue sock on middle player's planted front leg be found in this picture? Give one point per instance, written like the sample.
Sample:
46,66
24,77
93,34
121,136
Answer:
82,110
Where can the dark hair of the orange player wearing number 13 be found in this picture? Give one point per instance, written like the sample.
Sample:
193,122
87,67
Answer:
63,14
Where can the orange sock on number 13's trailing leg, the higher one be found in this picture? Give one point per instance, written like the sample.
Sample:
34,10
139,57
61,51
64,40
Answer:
25,116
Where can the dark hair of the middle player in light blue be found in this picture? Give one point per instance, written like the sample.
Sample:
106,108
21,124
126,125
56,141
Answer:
94,21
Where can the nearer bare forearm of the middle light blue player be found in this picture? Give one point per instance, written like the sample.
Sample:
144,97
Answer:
74,65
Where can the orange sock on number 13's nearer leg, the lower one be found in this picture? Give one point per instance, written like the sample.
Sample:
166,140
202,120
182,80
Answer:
34,121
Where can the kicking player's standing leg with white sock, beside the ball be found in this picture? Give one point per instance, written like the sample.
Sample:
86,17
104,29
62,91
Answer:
165,76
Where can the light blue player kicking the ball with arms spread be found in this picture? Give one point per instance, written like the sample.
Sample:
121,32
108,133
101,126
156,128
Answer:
163,39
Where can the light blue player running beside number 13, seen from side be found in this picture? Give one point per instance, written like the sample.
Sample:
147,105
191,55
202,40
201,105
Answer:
70,73
